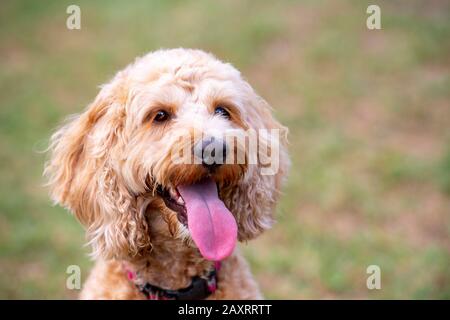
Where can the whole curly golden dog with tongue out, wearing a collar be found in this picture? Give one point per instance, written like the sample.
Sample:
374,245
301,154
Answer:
159,228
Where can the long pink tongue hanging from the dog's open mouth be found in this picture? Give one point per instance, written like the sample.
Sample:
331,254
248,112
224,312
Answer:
211,224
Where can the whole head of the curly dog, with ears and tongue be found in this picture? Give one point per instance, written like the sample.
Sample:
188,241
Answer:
161,150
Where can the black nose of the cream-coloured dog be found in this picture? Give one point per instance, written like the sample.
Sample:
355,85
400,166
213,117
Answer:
213,152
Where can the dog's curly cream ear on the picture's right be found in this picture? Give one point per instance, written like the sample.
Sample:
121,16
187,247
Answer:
255,198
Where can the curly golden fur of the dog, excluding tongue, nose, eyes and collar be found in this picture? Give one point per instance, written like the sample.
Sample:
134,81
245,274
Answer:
106,162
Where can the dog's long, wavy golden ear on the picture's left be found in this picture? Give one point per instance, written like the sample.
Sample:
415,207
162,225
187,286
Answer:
83,177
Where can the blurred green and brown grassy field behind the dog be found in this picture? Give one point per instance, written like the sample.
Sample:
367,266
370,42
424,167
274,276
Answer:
369,119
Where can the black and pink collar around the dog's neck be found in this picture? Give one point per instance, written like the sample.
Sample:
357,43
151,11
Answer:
200,288
